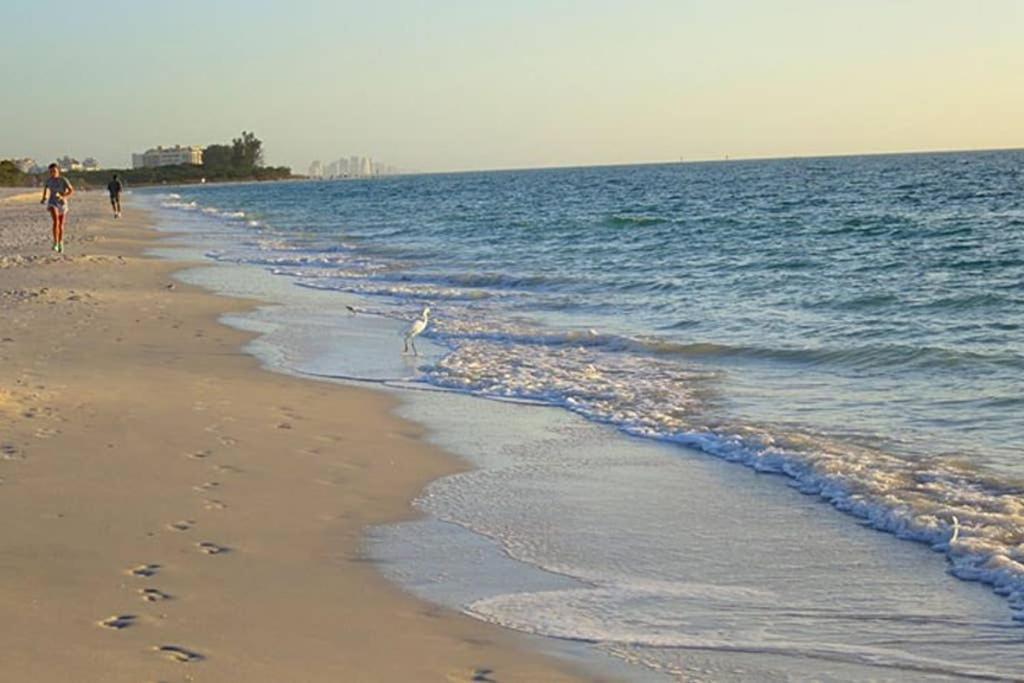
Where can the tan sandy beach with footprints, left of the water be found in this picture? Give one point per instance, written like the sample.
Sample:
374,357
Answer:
173,513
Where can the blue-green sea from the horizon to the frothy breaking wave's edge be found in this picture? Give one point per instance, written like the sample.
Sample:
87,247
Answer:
855,324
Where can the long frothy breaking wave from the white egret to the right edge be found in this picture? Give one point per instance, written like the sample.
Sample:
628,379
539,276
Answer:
915,499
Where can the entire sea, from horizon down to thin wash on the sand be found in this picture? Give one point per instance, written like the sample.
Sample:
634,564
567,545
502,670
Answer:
658,339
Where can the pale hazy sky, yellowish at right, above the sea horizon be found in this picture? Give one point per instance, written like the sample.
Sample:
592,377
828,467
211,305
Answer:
437,86
